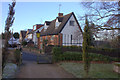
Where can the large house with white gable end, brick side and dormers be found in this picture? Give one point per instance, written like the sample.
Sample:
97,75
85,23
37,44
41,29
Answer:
64,30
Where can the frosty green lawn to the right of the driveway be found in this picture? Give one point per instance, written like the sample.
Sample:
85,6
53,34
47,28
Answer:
96,70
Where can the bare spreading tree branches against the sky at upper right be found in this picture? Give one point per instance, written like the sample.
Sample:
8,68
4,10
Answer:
105,15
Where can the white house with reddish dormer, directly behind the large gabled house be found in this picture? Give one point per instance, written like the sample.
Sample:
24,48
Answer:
35,29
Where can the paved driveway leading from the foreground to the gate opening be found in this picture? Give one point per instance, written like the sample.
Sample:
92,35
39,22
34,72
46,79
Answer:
30,69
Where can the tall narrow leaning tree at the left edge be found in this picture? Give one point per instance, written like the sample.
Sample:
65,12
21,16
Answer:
8,24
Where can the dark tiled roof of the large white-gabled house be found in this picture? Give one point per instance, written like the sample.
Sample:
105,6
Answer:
51,30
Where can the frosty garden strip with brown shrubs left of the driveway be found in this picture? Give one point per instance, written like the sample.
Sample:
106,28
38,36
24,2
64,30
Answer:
10,62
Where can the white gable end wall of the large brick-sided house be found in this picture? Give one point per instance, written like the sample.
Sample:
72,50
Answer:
72,30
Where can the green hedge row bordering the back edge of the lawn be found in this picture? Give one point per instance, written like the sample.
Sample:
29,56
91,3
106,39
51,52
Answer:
77,56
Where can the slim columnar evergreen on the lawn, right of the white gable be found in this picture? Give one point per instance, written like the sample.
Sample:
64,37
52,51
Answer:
85,48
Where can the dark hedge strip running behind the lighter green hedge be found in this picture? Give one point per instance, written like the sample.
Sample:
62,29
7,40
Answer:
104,51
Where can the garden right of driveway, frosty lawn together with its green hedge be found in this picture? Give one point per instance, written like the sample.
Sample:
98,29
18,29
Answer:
102,66
